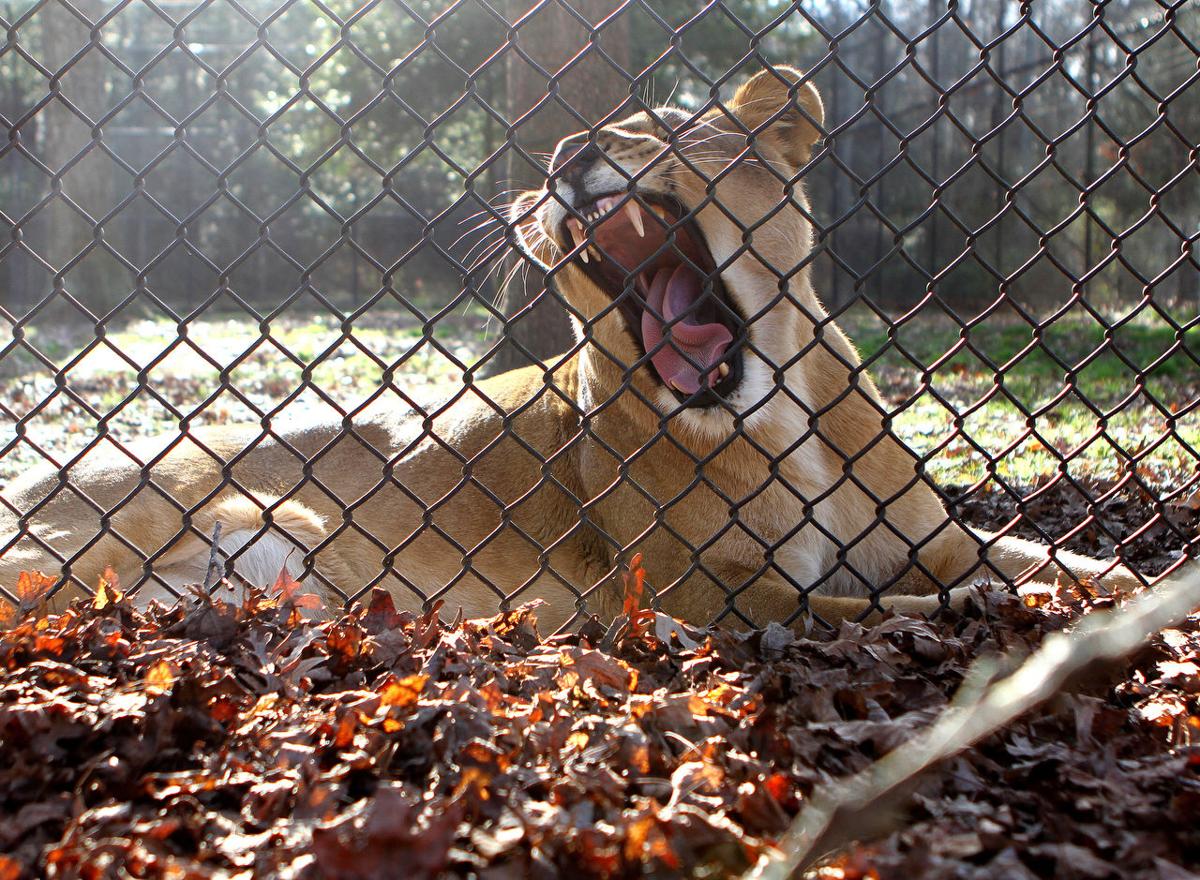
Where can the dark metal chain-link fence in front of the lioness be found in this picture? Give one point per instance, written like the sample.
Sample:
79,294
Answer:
266,268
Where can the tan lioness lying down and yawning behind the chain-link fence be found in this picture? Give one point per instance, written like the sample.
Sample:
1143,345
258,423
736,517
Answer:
712,418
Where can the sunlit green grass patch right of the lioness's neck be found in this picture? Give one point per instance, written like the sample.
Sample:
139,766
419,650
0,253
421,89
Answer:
1073,394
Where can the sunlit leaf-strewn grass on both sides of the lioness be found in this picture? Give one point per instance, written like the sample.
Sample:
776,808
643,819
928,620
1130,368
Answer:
1095,397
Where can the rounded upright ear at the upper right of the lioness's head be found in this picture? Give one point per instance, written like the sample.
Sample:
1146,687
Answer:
783,111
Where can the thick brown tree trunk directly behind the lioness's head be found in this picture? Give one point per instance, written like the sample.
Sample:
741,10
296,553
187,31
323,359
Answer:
593,88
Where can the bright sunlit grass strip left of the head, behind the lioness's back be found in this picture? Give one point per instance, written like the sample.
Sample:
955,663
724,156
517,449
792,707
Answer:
49,416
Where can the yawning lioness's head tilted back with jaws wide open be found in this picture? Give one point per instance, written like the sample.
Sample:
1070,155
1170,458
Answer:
673,237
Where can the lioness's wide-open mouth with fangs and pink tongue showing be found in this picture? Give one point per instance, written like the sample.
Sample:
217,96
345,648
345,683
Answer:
658,270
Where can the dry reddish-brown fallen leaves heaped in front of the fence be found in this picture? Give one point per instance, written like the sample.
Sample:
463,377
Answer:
232,739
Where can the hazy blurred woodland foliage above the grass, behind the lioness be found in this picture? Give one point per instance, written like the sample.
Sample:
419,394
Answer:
359,139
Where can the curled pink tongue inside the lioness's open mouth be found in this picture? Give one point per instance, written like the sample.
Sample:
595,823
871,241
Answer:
694,350
